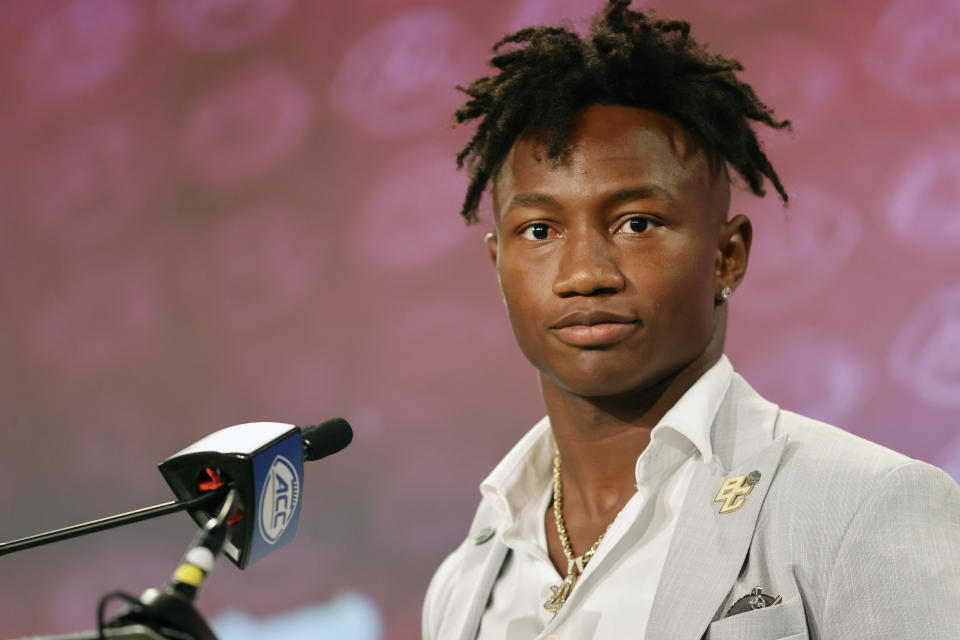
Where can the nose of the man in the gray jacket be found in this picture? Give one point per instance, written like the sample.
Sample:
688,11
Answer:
588,266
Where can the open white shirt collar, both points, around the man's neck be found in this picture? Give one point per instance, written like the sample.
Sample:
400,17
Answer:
519,478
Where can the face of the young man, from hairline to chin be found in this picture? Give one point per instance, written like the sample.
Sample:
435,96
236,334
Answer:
609,263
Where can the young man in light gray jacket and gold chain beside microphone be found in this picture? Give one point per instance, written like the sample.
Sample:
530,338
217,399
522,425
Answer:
662,497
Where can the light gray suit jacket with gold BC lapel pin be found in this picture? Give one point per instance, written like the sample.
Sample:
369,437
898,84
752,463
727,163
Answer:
860,541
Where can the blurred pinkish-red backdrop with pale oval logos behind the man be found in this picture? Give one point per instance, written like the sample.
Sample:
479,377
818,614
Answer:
222,211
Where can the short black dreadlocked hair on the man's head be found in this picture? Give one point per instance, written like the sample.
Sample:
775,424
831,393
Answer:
547,74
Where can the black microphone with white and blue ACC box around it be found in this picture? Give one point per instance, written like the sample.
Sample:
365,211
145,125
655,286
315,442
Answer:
263,462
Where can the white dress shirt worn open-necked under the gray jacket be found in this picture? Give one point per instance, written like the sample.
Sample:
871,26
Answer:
613,597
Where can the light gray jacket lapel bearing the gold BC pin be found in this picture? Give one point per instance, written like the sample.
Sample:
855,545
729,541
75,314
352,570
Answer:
708,547
